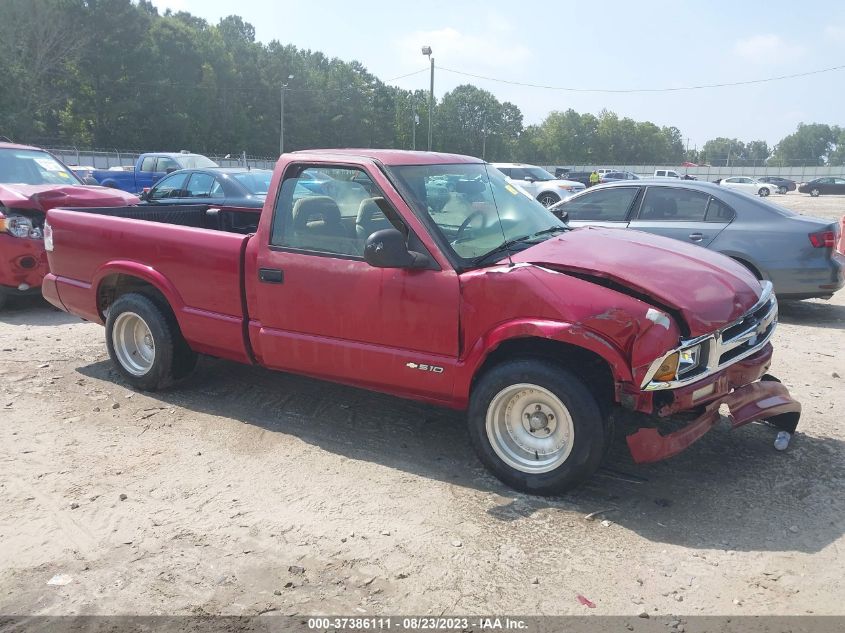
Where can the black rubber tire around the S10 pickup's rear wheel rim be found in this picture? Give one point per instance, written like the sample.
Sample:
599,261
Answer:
172,358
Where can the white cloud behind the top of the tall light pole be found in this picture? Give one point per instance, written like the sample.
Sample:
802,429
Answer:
490,47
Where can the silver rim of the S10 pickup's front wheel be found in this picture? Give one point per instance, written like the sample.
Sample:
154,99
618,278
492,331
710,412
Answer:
529,428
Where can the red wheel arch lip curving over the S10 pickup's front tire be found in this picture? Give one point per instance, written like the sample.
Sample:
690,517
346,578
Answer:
569,333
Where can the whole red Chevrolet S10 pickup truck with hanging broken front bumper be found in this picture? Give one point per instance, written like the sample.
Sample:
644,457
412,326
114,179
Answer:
428,276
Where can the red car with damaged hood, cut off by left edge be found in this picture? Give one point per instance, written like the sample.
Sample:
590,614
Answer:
33,181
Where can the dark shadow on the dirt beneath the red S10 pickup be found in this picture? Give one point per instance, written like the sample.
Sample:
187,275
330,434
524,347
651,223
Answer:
731,490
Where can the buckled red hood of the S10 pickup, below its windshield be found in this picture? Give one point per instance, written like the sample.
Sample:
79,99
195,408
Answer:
709,290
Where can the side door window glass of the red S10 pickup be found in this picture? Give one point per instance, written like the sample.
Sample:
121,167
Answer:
329,210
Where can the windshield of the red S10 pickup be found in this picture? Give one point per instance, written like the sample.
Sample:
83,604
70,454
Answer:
477,212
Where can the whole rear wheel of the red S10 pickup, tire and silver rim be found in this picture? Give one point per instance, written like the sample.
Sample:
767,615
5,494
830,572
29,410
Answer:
145,343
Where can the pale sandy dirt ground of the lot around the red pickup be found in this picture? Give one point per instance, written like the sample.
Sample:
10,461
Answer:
246,492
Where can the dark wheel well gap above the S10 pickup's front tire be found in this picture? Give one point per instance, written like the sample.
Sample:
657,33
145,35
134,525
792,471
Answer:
587,365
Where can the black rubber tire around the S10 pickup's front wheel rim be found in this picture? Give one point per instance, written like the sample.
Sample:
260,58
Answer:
589,432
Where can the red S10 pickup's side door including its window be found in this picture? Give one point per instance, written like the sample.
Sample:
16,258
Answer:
318,308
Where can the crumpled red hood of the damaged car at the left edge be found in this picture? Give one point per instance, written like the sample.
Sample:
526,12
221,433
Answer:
46,197
